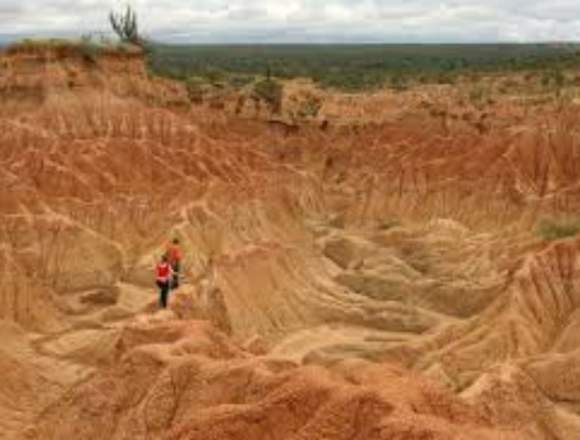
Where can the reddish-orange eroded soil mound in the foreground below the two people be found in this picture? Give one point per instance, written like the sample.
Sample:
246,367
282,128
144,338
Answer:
183,380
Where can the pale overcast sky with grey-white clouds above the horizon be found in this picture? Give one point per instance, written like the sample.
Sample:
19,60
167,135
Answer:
316,21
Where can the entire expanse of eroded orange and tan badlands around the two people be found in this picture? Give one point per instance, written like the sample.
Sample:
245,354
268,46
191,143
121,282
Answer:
402,267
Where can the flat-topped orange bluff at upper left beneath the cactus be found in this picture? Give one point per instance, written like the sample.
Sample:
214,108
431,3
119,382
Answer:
53,73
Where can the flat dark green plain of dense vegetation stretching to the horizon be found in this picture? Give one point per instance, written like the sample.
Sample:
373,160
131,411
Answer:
357,67
